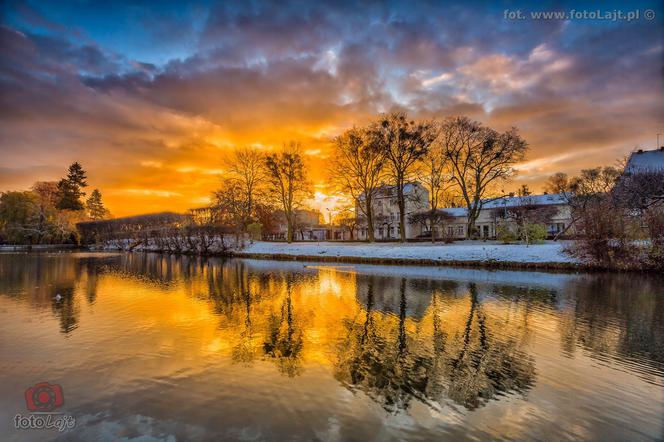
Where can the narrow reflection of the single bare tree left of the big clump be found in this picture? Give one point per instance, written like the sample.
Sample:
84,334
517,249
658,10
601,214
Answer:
284,340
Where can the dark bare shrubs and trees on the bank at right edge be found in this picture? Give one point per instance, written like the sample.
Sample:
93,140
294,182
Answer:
618,216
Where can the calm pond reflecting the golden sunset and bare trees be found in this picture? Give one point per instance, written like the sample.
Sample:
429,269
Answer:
186,348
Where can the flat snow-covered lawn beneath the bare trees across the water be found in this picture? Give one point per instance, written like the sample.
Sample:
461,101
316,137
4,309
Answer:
549,252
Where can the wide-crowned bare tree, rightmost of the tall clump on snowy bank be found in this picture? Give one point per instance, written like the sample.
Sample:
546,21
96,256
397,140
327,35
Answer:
479,156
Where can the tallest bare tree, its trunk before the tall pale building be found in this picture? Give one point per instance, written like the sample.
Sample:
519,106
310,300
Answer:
405,143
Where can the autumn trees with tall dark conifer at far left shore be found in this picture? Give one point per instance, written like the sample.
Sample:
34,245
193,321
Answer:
49,211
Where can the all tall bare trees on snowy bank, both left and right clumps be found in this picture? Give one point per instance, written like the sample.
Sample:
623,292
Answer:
454,153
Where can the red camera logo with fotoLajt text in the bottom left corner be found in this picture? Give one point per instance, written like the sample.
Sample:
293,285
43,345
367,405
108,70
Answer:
42,400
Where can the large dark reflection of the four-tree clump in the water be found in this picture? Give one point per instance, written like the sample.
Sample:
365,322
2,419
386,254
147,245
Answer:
393,362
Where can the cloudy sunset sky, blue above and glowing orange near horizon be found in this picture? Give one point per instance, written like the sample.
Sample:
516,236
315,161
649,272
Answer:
151,96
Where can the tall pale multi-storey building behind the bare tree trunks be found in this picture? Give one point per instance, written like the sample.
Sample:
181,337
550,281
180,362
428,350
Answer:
386,211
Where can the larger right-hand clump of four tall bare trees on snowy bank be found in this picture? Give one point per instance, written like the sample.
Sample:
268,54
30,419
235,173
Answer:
455,154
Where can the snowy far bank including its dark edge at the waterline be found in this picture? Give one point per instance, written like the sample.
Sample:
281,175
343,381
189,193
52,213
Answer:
549,255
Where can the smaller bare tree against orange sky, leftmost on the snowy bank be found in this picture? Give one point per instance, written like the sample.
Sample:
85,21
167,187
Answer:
246,169
